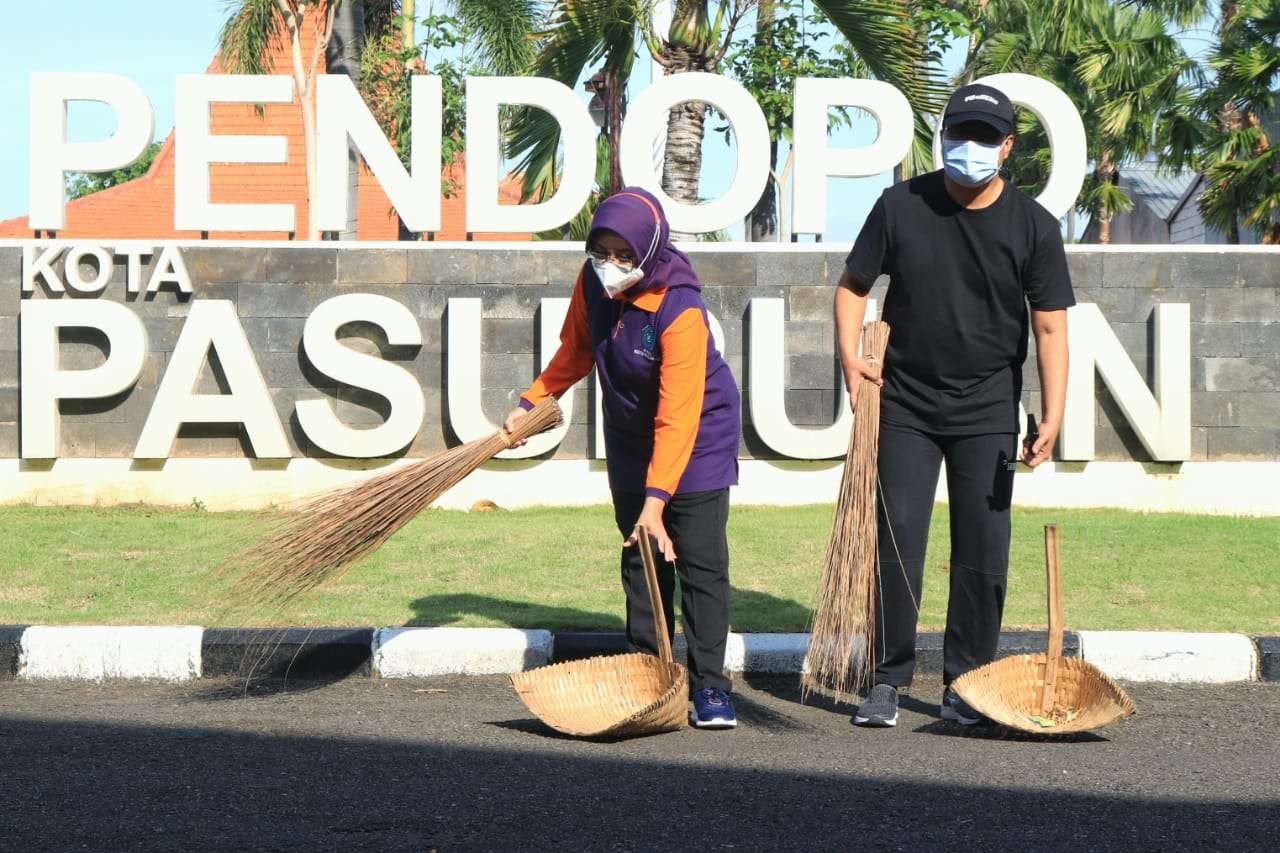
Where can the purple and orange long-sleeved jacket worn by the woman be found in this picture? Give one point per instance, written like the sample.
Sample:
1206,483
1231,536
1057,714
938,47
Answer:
673,412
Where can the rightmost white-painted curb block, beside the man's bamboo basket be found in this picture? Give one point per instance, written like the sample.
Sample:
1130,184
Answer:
1172,658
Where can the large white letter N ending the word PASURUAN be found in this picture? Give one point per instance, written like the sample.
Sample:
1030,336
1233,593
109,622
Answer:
1163,421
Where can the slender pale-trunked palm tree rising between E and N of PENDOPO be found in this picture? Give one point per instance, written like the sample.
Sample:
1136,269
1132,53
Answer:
245,47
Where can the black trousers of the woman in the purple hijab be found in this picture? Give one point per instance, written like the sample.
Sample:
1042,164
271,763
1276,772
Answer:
696,524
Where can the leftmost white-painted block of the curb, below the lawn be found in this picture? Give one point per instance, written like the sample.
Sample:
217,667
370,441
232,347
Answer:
97,654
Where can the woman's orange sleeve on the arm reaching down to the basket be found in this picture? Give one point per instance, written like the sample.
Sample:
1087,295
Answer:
683,382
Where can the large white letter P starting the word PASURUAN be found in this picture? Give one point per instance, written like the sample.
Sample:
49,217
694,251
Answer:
44,384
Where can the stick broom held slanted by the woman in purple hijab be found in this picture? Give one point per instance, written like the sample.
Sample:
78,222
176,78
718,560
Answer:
323,536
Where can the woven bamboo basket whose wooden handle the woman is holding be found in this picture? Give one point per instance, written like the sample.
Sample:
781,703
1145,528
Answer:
620,696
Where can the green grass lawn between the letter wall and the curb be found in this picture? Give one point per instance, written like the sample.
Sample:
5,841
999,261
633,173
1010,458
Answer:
557,568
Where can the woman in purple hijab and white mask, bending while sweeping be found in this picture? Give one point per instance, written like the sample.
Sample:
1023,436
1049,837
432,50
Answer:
671,428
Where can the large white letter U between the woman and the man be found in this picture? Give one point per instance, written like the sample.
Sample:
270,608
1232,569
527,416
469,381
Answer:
767,359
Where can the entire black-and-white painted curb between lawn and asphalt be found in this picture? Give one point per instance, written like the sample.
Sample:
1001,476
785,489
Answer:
180,654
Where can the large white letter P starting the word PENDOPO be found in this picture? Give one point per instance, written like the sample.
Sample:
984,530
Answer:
52,156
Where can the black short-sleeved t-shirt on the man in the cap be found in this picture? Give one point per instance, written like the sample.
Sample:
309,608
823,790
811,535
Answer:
957,305
